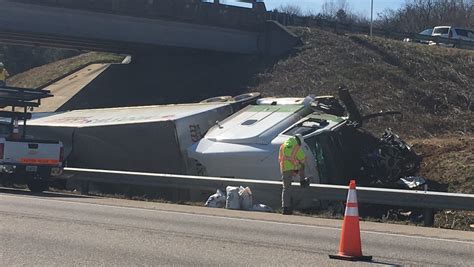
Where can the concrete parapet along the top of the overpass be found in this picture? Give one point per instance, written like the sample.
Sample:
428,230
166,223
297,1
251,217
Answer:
196,11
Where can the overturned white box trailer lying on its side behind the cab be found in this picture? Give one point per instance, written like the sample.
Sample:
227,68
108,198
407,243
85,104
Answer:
145,139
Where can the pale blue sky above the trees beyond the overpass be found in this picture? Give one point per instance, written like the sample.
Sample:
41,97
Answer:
361,7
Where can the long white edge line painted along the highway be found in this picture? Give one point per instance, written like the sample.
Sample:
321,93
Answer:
246,220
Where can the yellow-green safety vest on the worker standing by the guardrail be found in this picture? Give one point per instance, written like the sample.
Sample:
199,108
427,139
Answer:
291,156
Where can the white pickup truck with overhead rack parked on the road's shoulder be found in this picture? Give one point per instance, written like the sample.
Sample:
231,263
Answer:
24,160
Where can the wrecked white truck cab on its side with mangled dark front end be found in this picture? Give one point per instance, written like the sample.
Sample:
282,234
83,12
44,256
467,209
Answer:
338,149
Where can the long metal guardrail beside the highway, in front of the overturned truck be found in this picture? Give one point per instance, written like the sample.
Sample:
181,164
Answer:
384,196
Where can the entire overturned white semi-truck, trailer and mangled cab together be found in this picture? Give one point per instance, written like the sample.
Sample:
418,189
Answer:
240,138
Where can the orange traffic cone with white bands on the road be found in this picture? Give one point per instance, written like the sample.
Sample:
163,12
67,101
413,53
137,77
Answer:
350,247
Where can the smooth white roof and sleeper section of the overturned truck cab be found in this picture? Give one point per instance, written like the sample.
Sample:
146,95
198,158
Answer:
244,144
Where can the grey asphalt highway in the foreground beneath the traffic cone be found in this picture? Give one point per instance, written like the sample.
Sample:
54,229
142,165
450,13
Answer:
59,230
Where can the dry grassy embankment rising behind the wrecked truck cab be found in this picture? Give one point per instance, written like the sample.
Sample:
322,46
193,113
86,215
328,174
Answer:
432,86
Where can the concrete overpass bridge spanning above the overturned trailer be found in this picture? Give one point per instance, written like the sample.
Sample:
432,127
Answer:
132,25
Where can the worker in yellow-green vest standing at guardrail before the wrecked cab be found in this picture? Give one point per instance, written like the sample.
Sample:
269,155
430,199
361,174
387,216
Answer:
291,159
